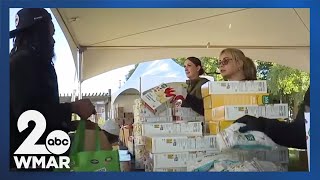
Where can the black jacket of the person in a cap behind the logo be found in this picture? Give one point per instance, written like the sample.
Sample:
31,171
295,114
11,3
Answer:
33,86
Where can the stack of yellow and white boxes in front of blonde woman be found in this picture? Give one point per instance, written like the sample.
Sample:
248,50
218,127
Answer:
226,101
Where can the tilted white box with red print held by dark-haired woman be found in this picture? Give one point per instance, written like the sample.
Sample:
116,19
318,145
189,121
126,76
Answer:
156,97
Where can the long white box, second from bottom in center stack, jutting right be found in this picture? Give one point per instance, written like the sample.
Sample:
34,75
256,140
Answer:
167,144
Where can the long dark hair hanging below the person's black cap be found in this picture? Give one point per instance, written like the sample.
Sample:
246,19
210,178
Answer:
38,38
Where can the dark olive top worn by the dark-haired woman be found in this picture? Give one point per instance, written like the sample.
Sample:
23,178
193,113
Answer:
194,98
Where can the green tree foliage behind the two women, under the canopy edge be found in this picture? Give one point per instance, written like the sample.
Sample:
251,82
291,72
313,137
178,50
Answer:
284,83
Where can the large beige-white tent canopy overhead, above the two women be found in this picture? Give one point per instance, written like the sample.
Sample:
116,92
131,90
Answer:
113,38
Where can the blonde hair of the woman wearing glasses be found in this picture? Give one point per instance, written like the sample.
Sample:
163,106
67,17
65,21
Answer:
249,68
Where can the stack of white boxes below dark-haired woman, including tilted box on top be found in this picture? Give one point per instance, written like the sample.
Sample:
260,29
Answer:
167,137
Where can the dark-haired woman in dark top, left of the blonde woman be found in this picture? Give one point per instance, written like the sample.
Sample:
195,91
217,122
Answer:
193,69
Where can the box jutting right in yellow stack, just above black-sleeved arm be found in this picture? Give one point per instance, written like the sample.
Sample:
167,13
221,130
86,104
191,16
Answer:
275,111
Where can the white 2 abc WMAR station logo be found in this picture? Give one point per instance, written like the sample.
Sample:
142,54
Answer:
57,142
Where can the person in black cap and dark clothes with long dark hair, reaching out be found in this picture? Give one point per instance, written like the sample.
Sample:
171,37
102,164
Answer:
33,80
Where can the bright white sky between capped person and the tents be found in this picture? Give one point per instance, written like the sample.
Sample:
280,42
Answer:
65,67
